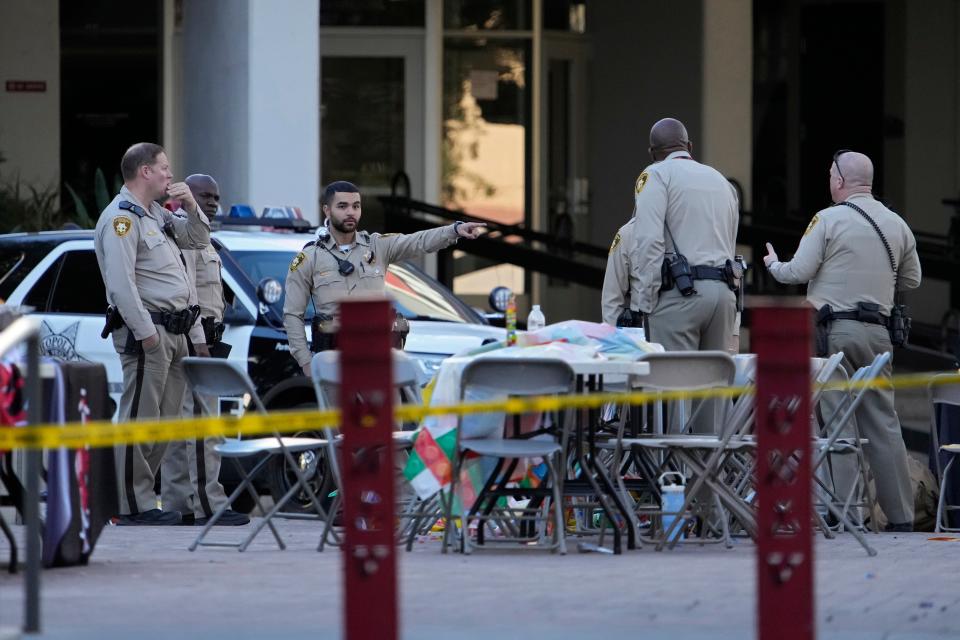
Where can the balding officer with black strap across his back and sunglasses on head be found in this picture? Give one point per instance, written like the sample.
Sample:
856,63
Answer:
851,283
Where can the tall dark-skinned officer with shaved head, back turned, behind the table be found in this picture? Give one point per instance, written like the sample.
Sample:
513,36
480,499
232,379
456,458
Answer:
683,208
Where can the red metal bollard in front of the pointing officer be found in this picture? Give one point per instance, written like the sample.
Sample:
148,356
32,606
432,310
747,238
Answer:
366,462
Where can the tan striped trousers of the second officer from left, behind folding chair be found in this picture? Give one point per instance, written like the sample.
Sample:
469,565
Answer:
190,475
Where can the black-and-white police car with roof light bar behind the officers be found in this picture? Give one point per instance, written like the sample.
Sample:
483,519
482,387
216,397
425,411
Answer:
56,273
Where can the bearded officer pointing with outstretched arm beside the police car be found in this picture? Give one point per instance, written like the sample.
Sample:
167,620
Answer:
344,261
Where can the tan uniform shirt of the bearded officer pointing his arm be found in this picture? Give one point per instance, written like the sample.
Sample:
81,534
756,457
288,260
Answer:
314,273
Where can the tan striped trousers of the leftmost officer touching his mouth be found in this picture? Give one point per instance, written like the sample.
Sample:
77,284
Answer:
153,384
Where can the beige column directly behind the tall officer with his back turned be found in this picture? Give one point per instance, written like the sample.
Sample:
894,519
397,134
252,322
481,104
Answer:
727,127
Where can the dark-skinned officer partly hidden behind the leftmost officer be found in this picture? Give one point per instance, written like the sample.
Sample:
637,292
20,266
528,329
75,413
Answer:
191,468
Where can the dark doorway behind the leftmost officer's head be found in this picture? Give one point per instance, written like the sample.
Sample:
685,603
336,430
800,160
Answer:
111,78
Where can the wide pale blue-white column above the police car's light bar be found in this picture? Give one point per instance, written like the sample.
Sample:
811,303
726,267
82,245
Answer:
251,97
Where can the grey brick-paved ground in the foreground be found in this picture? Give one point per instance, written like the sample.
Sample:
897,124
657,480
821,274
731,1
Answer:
142,583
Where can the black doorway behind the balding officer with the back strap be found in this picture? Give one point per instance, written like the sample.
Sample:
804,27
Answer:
819,71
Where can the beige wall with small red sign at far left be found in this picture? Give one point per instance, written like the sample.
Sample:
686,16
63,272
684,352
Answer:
30,113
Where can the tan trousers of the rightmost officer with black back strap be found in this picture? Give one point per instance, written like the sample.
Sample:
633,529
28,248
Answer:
877,421
